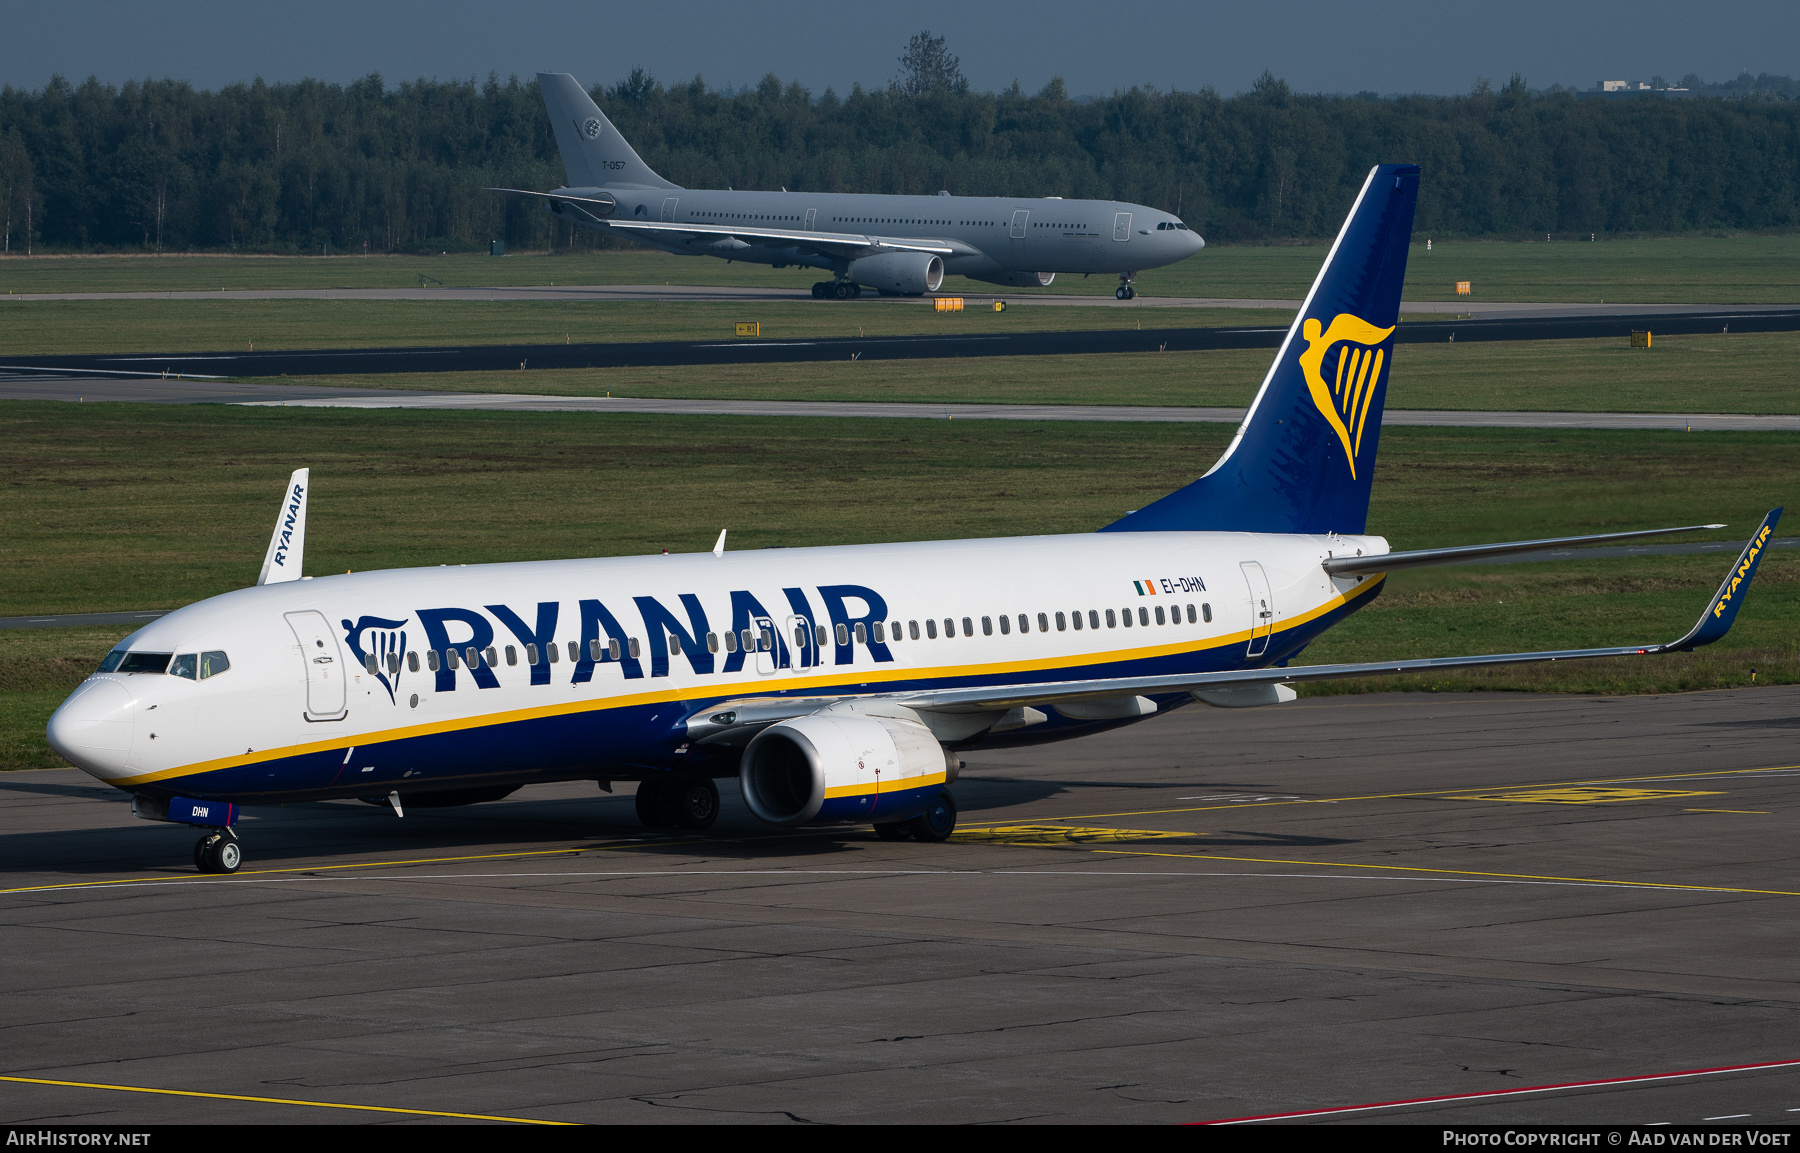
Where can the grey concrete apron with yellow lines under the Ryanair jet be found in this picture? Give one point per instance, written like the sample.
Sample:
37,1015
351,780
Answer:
1212,915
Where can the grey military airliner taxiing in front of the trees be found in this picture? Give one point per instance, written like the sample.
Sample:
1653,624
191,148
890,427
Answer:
899,246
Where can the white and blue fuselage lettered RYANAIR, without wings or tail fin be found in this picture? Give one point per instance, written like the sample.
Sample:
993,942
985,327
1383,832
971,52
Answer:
300,715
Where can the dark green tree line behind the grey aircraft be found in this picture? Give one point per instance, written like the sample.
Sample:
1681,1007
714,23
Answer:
336,168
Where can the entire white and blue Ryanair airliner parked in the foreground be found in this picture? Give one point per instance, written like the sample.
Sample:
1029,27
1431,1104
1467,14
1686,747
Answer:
836,684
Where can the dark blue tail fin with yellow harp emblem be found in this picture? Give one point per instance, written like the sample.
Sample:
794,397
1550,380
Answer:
1306,452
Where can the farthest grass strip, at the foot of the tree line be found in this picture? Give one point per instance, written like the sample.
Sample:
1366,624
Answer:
1702,271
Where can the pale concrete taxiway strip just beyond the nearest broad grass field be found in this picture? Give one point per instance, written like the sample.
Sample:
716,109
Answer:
51,388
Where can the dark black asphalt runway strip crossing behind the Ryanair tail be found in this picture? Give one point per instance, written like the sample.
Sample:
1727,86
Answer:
663,353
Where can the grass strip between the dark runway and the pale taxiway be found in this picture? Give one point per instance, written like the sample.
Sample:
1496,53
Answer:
1741,373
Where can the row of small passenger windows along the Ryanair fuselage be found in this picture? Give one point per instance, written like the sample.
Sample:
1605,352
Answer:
764,639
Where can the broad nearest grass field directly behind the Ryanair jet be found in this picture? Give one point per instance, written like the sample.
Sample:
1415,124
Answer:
150,506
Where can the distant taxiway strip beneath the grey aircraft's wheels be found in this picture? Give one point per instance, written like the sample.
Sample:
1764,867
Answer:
710,294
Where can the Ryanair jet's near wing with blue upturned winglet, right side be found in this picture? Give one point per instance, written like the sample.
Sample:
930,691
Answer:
1711,627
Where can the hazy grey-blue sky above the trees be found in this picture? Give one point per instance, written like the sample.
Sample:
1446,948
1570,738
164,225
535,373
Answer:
1097,46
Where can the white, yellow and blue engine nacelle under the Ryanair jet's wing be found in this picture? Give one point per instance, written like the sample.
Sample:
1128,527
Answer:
841,771
